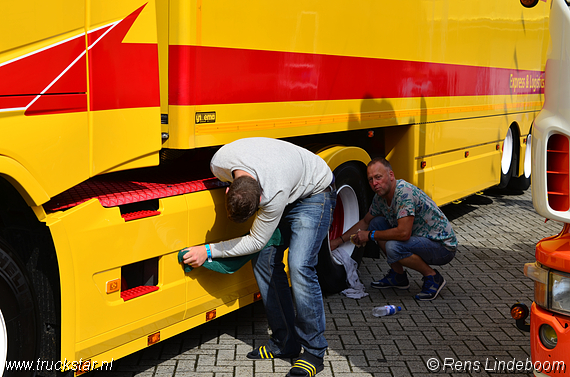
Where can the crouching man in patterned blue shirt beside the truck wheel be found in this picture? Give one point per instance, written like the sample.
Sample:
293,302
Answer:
409,228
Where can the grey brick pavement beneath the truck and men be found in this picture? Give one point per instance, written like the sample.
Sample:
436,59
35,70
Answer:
468,323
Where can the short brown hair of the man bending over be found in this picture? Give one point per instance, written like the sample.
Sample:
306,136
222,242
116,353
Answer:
242,199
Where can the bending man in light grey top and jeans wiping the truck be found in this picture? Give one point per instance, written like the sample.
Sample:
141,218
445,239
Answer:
289,187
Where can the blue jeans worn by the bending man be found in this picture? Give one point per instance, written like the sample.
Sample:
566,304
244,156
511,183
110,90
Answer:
303,226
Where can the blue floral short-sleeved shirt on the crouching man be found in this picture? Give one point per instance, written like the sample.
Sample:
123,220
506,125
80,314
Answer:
429,220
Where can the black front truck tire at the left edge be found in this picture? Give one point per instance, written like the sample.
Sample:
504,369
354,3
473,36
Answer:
18,323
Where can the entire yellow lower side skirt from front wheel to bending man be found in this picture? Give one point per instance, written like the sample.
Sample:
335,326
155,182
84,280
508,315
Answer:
94,242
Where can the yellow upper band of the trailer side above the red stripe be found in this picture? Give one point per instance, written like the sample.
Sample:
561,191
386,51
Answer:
437,31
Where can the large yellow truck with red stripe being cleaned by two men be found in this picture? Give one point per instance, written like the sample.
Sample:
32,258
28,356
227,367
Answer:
111,110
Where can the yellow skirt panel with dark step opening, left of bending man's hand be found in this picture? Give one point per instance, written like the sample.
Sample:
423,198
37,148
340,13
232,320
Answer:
99,243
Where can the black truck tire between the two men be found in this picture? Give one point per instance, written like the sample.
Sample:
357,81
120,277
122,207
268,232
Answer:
350,176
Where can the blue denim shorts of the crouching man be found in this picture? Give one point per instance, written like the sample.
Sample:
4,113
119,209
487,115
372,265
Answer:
432,252
